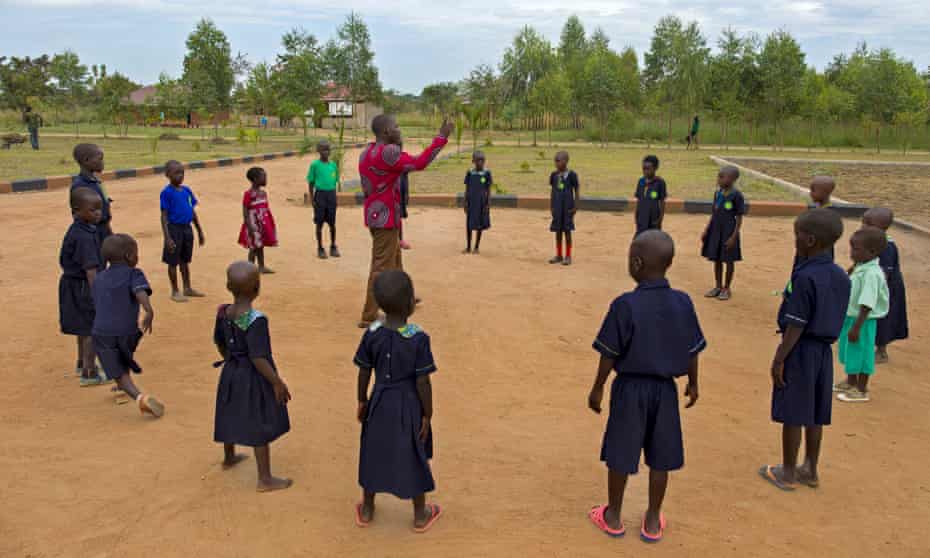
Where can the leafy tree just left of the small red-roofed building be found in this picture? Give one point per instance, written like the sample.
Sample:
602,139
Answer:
297,82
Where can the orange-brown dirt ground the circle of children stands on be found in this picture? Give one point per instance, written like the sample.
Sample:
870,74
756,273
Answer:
516,447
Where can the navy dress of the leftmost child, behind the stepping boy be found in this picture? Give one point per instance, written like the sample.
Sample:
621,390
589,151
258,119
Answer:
80,252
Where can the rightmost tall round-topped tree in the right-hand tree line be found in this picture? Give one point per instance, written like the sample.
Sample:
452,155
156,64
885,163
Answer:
781,66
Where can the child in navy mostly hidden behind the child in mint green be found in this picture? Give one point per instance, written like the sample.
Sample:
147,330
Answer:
892,327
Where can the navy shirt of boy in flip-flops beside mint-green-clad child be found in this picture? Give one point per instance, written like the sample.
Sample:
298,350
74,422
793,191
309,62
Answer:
815,299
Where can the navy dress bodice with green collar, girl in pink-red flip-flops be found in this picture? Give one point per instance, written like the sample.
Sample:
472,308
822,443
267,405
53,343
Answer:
397,356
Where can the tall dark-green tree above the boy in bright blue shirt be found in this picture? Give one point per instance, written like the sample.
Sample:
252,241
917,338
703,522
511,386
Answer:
209,69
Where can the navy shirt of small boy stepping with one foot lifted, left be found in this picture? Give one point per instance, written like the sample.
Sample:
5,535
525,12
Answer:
114,295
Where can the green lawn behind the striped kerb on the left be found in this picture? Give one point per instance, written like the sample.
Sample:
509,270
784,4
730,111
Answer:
54,157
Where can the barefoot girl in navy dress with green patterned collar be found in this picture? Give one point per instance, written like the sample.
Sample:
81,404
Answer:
251,399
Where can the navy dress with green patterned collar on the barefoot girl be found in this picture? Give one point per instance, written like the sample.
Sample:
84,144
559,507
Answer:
247,412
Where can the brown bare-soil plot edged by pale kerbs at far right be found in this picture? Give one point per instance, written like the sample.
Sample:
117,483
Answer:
903,188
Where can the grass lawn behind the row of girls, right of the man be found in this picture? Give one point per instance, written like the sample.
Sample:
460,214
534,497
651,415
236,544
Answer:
609,172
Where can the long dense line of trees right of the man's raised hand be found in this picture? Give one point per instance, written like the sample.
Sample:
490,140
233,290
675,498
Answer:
746,83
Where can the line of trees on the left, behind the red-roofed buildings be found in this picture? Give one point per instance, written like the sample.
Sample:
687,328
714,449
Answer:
214,81
